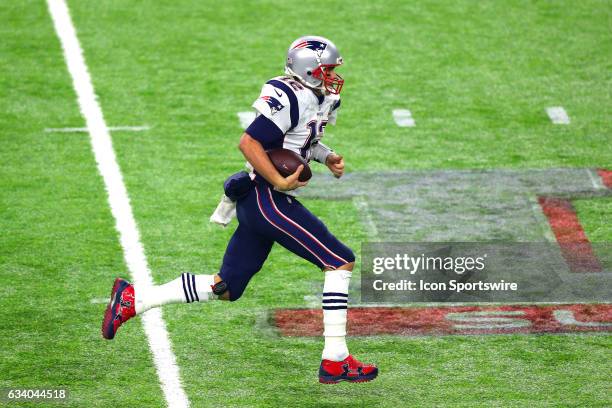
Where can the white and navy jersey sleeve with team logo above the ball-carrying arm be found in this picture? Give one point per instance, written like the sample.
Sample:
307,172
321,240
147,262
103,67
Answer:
274,115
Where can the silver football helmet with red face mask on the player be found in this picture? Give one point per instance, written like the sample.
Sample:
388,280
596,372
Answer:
308,59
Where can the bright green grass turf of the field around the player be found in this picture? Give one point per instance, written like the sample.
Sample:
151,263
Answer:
477,78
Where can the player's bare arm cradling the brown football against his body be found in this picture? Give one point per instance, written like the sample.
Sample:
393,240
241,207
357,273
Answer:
255,154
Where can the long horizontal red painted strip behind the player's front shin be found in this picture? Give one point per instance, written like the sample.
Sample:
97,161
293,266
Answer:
463,320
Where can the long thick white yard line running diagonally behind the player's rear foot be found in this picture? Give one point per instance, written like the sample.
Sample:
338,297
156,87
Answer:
133,251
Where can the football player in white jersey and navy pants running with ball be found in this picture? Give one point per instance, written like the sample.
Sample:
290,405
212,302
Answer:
292,112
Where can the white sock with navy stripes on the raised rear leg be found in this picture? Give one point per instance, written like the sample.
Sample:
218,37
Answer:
186,288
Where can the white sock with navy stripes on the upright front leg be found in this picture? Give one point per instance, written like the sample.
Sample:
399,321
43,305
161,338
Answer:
335,300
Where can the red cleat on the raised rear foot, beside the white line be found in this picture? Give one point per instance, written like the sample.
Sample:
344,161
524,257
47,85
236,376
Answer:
120,309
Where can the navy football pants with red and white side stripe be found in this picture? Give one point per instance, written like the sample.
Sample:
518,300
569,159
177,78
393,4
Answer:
267,216
